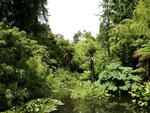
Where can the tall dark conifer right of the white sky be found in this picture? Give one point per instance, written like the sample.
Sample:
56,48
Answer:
113,13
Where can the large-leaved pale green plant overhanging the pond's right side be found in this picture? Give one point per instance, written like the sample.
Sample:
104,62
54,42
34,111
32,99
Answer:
118,79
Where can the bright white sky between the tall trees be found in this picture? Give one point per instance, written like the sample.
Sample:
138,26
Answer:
67,17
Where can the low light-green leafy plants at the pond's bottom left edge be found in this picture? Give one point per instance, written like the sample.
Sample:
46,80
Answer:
45,105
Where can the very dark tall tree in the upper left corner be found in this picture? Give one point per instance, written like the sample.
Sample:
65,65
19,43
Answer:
24,14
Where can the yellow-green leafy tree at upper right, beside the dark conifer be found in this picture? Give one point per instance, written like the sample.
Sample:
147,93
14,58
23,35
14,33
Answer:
130,34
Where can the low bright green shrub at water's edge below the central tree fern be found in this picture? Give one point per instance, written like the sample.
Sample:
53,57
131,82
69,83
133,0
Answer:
88,91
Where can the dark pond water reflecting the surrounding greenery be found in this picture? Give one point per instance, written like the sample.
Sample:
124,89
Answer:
113,105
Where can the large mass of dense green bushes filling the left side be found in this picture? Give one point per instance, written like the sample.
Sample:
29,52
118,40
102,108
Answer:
23,70
